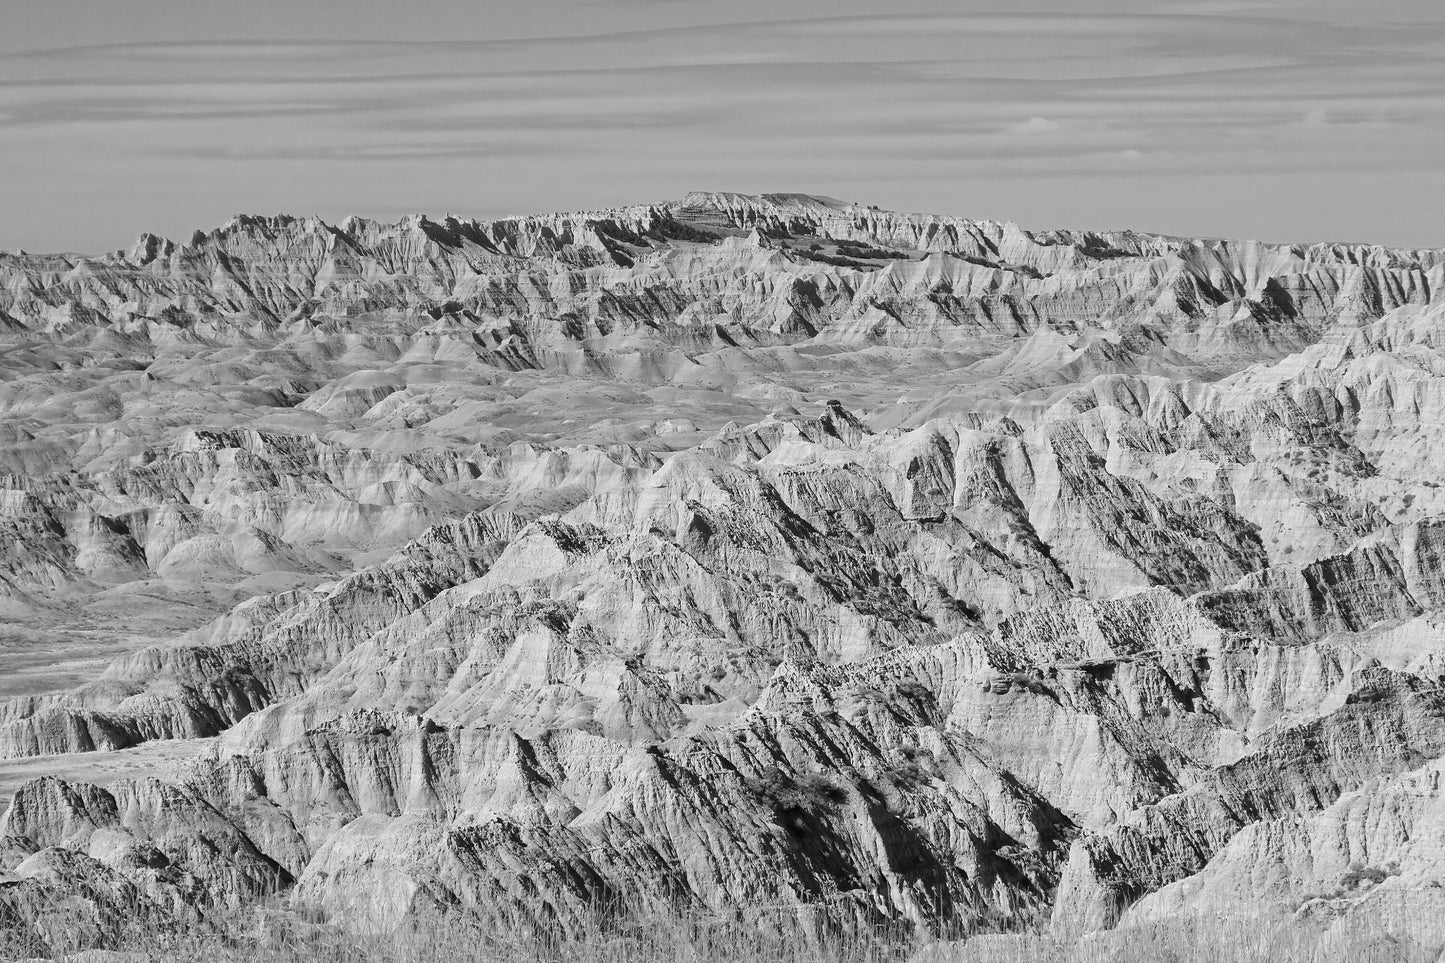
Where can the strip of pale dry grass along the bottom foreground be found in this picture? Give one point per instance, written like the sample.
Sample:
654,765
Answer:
274,935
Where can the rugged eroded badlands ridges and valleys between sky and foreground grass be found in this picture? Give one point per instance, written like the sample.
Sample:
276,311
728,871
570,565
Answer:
719,555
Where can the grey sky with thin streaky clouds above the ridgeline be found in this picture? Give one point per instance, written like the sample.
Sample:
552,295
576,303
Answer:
1272,119
